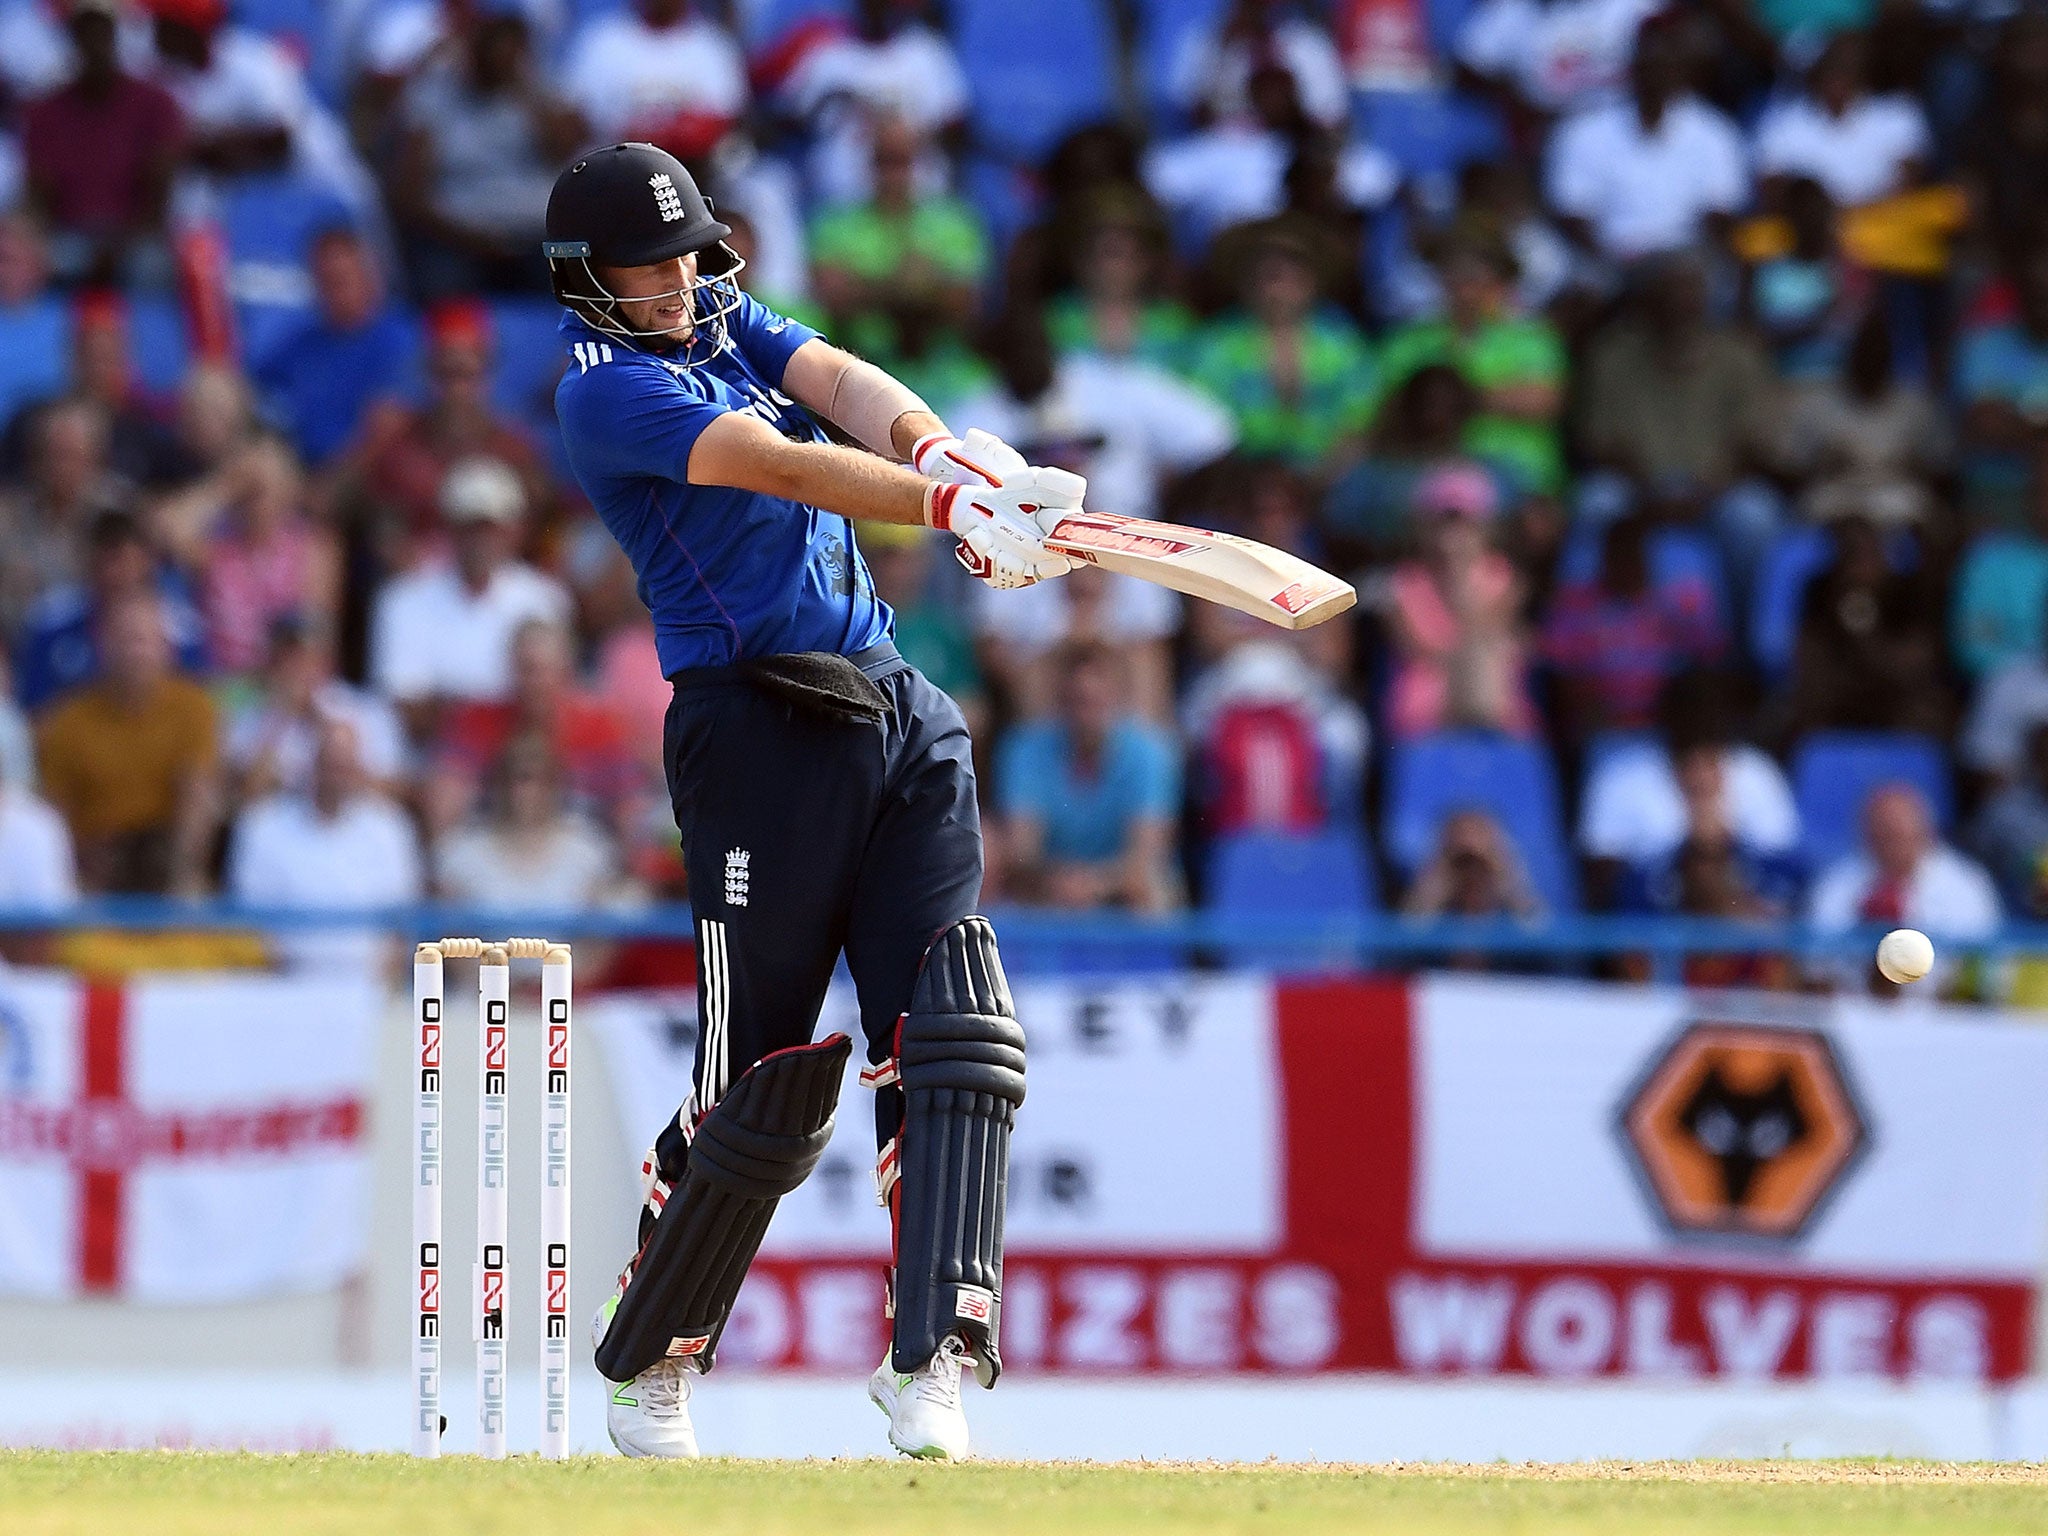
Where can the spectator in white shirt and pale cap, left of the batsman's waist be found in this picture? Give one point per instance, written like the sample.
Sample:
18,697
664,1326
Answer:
445,632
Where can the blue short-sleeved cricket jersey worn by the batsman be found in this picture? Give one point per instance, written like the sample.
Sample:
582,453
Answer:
726,574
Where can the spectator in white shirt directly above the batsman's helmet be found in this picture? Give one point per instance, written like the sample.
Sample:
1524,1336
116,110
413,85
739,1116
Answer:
658,73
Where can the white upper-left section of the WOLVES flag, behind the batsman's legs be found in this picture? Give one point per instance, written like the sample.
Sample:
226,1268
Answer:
1103,1156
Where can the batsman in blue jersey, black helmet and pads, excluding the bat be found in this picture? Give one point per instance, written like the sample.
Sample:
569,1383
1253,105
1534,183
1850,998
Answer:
822,787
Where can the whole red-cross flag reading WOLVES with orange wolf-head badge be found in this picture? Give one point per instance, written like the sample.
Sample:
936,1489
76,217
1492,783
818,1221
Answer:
1459,1177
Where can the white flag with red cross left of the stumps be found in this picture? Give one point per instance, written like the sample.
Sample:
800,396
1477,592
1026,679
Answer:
183,1140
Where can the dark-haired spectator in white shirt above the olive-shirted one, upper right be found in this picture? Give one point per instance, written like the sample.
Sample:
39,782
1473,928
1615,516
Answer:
1650,173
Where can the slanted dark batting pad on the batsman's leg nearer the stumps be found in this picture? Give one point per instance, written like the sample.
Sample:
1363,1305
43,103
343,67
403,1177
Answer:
755,1146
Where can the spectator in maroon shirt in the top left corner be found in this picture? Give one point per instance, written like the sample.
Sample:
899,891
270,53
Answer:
99,157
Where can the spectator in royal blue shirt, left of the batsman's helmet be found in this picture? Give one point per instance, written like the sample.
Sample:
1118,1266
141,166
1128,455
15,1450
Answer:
361,349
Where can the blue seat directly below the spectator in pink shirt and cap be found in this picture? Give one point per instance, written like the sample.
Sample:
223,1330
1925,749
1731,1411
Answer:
1433,777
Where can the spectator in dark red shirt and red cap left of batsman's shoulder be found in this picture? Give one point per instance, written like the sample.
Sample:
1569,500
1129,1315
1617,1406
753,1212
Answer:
392,476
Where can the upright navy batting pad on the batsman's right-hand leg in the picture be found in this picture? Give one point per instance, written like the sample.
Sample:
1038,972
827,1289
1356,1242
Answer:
962,1072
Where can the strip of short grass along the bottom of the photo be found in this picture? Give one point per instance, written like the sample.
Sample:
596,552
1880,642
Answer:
140,1494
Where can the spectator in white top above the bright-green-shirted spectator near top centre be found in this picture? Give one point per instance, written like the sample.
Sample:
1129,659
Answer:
894,65
